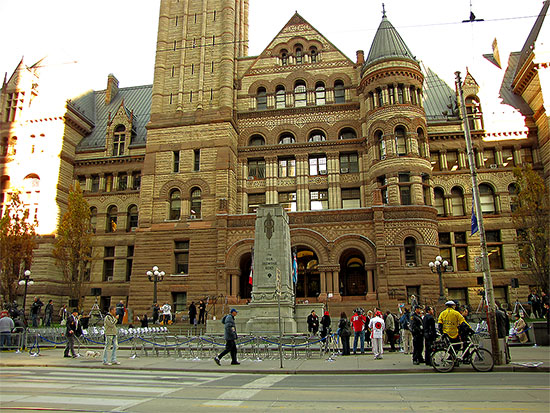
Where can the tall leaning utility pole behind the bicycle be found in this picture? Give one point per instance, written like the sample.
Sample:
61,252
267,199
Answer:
487,280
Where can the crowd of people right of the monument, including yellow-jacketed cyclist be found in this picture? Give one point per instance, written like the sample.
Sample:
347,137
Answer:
416,331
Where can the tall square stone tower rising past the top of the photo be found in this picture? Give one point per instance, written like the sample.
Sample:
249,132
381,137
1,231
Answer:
189,176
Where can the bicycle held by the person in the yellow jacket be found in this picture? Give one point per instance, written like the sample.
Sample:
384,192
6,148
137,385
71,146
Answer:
481,359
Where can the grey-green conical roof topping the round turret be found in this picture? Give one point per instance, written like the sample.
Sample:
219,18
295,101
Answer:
387,43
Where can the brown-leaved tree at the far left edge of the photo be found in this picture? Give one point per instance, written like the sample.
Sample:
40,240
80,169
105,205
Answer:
17,242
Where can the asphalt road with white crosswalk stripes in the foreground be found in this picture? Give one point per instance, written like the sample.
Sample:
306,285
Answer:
119,390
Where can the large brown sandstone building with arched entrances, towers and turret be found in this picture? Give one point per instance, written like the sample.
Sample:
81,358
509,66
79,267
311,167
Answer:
367,156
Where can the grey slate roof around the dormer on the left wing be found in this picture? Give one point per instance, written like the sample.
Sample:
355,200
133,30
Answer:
92,106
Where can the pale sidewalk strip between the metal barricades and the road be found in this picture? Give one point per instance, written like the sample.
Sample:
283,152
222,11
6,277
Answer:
392,363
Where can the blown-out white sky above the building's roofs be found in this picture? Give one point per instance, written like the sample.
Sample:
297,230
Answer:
95,38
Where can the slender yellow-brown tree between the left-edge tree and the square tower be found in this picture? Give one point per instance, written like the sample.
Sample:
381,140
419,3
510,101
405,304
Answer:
73,242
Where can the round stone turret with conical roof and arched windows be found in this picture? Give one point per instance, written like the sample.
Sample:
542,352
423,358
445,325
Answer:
394,121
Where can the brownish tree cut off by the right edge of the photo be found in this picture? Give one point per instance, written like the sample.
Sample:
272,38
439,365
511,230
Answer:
531,217
